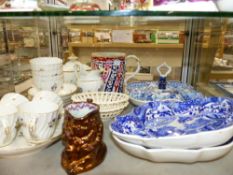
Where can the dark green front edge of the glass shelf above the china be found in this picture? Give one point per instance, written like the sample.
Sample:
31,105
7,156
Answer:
115,13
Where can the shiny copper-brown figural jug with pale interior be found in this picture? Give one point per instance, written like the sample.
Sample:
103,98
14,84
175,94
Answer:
82,137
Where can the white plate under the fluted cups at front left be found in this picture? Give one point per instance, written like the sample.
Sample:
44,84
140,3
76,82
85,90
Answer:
20,147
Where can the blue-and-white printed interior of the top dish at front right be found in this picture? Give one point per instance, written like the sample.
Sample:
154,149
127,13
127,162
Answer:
160,119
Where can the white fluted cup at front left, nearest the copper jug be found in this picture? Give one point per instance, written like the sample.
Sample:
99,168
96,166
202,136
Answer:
39,120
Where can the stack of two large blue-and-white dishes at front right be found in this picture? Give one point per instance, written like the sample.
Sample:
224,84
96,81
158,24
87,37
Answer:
190,131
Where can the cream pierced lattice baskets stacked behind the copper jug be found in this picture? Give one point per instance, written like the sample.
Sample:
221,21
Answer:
111,103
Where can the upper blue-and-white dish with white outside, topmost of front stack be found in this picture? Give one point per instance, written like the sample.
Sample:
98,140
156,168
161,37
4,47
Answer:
202,122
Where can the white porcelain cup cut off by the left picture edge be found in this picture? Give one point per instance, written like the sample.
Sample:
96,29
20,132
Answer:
8,119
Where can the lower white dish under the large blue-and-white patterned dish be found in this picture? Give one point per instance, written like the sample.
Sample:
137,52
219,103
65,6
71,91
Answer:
176,155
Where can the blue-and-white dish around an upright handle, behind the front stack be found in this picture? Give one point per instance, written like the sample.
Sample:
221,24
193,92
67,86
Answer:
147,91
